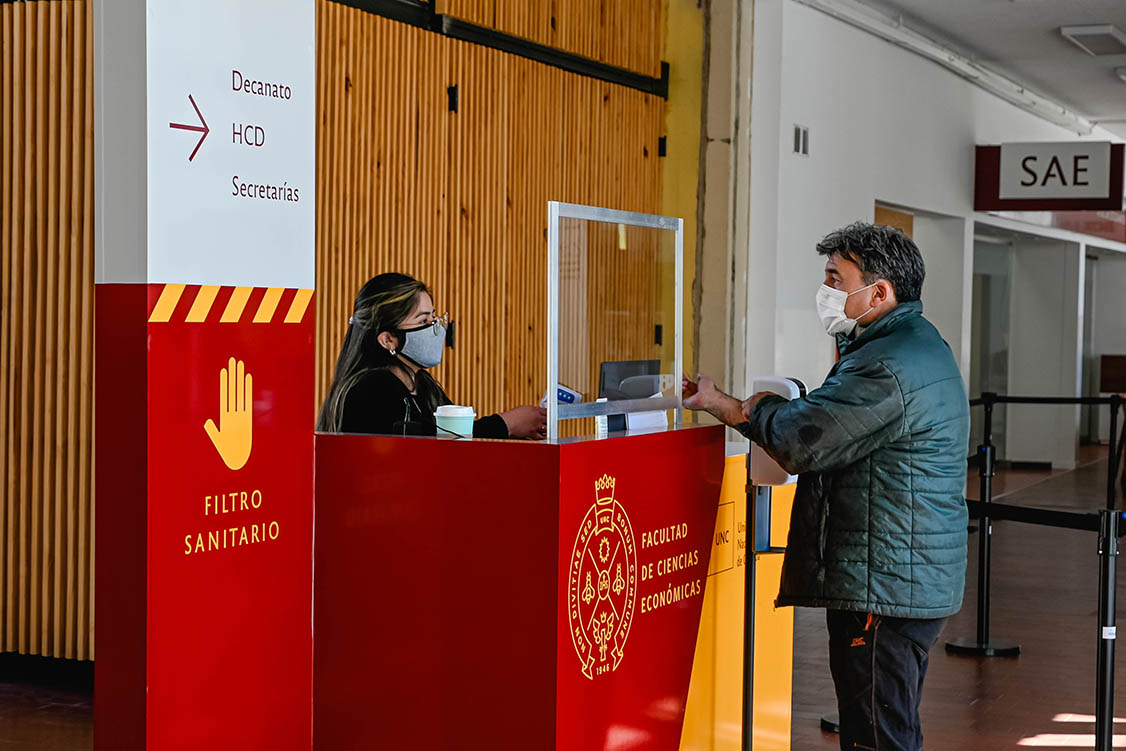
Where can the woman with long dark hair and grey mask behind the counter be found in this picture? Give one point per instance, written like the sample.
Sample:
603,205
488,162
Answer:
382,386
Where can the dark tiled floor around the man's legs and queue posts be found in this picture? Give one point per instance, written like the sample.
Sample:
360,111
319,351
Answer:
1044,597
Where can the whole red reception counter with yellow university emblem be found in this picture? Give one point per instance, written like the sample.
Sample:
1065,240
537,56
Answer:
511,596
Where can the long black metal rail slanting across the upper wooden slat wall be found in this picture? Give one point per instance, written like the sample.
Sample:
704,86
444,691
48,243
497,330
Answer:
423,15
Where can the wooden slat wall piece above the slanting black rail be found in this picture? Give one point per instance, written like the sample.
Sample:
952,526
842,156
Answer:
623,33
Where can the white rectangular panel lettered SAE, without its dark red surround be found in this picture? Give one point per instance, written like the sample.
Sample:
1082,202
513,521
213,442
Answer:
1056,171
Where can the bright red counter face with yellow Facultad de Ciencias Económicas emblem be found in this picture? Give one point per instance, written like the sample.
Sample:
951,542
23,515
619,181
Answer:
628,634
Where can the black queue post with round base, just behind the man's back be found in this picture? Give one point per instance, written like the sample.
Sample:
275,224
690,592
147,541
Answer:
982,646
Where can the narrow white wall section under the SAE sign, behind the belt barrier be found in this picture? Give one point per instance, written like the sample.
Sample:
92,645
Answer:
1045,330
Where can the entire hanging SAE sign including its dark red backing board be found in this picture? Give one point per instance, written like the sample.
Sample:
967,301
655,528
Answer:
1076,176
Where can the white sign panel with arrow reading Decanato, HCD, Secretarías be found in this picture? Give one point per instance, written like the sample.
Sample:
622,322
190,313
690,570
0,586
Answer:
231,142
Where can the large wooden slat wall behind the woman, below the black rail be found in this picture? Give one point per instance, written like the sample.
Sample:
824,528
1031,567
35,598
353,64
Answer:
524,135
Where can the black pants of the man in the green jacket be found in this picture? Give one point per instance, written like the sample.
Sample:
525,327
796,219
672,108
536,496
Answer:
879,665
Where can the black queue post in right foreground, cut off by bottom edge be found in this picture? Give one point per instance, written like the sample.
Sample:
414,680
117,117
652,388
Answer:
1110,523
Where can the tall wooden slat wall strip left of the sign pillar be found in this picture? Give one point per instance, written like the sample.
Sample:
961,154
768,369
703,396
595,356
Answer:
47,255
